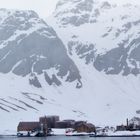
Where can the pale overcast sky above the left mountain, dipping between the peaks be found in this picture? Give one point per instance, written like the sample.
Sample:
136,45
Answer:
42,7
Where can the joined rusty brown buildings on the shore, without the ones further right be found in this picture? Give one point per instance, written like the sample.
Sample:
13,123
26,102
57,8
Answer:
44,126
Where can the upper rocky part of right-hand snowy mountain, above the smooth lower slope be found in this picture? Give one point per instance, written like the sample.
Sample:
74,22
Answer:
103,33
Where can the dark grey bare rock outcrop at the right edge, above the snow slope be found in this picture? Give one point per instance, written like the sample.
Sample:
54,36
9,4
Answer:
120,60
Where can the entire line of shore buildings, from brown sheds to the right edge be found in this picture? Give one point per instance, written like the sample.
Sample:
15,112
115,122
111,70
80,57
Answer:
45,125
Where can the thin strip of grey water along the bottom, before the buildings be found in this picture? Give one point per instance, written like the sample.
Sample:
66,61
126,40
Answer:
67,138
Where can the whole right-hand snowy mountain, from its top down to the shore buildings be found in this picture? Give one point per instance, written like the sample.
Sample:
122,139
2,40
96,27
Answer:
102,38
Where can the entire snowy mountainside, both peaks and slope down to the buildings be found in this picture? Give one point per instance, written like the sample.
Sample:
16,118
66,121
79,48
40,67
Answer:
86,67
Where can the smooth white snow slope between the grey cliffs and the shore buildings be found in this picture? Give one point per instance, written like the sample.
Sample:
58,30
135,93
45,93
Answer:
103,100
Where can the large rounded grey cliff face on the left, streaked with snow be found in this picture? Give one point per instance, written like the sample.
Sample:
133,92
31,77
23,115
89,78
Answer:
28,46
